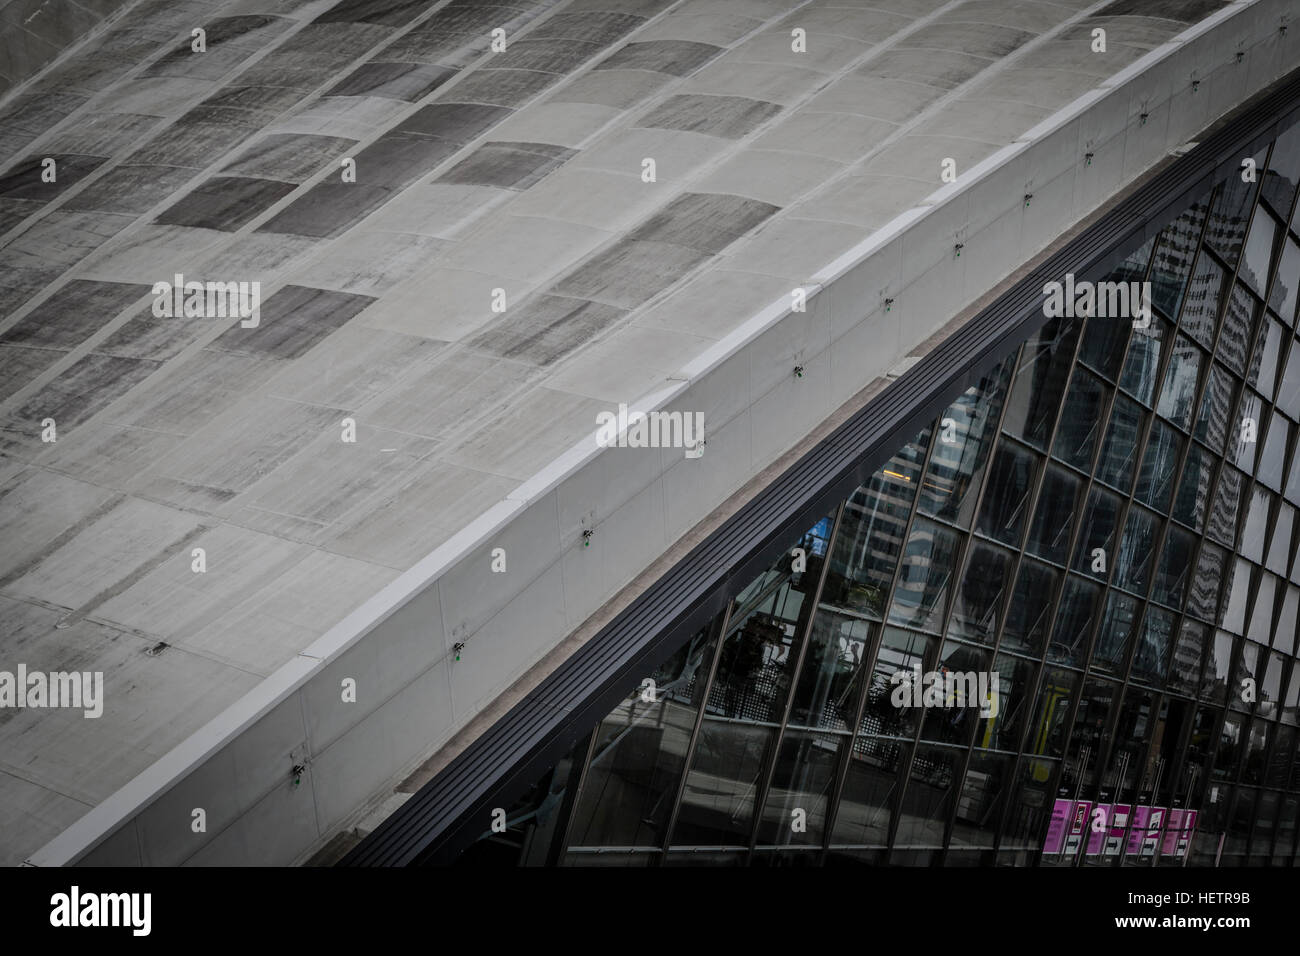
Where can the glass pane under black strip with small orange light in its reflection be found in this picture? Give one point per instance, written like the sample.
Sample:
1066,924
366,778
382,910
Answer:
872,533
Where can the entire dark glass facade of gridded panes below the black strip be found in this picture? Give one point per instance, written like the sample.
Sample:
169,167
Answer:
1107,522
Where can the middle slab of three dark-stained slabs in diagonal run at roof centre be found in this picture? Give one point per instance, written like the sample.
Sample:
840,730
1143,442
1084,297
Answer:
630,272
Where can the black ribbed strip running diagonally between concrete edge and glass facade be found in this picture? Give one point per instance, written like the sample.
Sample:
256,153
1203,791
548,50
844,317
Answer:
452,811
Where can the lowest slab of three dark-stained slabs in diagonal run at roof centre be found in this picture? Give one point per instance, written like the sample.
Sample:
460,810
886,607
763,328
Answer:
547,330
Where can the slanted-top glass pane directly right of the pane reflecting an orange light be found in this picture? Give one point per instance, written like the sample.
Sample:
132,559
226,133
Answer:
965,436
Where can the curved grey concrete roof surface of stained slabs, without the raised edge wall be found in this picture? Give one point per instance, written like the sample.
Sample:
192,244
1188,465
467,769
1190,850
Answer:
476,171
